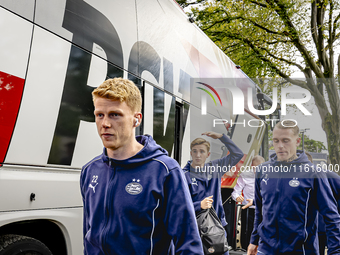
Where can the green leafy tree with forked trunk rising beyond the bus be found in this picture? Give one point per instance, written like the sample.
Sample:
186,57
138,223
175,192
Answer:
271,38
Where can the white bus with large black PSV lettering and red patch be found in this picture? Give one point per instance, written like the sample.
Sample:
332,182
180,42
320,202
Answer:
52,55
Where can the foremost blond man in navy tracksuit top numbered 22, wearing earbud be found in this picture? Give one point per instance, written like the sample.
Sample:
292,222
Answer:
136,200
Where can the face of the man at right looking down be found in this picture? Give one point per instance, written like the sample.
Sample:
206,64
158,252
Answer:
285,143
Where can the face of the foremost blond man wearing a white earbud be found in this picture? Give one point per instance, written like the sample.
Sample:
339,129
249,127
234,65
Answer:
115,123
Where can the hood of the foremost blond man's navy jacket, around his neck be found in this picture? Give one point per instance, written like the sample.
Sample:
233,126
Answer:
150,150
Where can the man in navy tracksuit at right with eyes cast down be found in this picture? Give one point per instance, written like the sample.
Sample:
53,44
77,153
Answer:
288,195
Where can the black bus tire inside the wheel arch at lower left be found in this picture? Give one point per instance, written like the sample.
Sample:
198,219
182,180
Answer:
22,245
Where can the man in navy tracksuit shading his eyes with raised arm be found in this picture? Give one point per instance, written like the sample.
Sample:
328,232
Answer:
204,179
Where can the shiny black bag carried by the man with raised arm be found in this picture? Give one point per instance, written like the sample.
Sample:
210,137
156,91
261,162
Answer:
212,232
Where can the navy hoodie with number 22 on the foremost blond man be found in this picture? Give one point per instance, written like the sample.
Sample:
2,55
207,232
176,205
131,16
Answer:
138,205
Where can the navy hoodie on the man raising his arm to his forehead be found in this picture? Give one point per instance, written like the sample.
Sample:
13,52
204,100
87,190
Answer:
208,183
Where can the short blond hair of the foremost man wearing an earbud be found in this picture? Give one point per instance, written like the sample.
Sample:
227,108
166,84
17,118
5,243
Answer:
119,89
